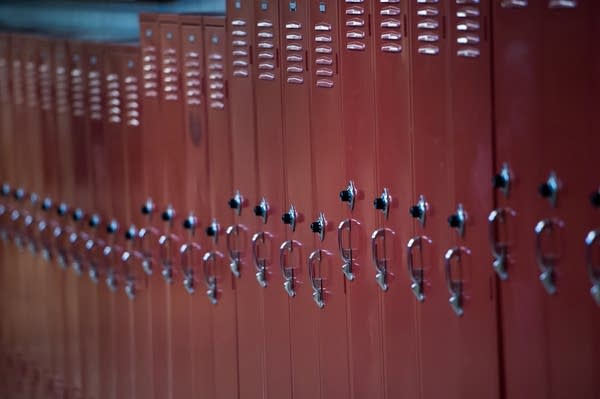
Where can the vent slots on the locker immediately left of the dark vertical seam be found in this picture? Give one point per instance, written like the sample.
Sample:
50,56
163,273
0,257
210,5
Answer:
468,26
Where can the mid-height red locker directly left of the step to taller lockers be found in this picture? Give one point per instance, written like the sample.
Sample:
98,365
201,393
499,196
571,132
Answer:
219,279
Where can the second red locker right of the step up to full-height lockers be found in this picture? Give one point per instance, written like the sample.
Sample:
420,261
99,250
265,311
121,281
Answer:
270,203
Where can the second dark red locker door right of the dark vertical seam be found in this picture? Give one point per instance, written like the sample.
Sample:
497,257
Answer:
566,95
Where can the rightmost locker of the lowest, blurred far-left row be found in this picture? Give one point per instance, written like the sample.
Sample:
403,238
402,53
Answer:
135,280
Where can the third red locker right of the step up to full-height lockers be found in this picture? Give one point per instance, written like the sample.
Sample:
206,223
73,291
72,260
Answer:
297,152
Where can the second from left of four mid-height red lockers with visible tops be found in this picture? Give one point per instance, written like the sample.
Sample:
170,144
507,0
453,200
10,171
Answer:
174,142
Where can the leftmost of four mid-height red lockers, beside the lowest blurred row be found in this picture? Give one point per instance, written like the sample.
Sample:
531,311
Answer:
152,158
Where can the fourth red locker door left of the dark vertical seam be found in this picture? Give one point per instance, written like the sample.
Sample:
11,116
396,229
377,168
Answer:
356,70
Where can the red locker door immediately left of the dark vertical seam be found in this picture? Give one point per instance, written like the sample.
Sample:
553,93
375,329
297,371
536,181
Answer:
471,288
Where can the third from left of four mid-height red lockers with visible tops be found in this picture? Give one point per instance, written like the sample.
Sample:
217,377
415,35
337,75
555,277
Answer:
197,202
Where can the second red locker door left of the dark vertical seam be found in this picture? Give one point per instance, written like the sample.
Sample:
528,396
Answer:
432,200
